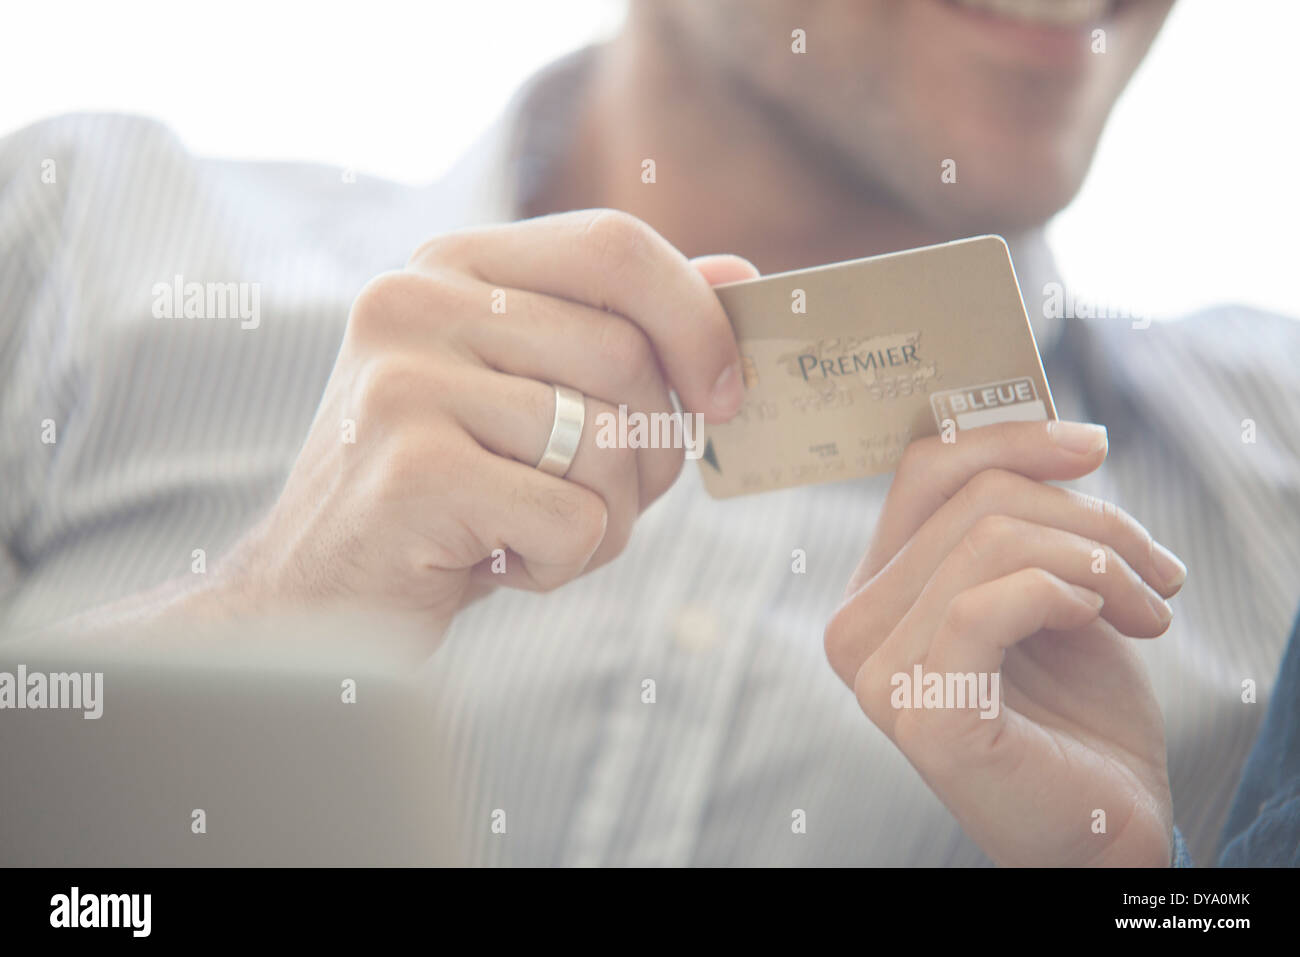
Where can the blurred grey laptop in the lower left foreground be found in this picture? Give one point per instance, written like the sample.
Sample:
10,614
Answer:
304,743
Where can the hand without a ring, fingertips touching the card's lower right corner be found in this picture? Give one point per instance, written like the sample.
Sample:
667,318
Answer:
980,568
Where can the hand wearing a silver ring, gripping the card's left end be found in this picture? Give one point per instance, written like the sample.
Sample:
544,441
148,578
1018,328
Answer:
453,406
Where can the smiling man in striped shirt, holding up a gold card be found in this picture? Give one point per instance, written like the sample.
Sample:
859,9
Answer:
671,703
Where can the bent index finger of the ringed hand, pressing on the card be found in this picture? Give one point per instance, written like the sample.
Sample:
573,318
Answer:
613,261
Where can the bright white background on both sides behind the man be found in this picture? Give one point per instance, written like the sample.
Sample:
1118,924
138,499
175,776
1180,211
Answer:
1193,200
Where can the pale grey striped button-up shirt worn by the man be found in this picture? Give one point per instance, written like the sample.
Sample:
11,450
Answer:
128,441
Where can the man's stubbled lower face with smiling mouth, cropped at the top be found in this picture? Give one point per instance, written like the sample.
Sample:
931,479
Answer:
1013,92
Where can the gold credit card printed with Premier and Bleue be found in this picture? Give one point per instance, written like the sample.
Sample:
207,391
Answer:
846,365
